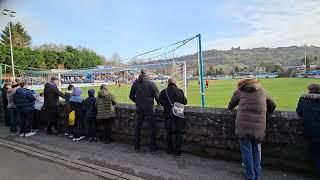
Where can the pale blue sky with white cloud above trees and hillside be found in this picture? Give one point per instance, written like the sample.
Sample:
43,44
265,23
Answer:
130,27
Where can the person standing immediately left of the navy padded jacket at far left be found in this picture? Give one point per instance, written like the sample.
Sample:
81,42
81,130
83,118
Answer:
12,108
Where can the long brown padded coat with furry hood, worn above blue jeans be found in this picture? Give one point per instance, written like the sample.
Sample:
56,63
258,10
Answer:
254,103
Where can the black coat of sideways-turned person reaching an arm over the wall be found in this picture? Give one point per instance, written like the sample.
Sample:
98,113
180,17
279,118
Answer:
51,97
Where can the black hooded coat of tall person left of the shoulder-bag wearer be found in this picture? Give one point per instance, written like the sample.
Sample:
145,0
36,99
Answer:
143,93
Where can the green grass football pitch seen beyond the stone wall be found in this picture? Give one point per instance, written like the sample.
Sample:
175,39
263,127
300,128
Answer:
285,92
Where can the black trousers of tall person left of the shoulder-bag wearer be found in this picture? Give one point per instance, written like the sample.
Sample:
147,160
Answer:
152,127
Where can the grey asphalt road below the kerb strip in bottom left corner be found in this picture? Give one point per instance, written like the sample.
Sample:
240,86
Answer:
18,166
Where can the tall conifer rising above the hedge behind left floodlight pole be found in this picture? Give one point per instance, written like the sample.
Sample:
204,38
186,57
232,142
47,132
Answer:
20,37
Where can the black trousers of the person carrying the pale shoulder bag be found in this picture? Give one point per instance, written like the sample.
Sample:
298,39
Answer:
174,127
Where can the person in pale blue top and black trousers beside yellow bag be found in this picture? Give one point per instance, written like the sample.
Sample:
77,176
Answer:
76,105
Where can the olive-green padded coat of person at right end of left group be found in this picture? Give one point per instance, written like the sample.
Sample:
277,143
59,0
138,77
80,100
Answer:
105,103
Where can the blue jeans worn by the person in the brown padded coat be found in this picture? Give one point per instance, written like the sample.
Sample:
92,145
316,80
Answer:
251,157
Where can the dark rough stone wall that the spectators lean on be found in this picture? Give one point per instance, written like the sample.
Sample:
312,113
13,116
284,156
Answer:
209,133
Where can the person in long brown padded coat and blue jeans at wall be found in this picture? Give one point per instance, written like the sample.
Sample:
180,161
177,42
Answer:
250,125
